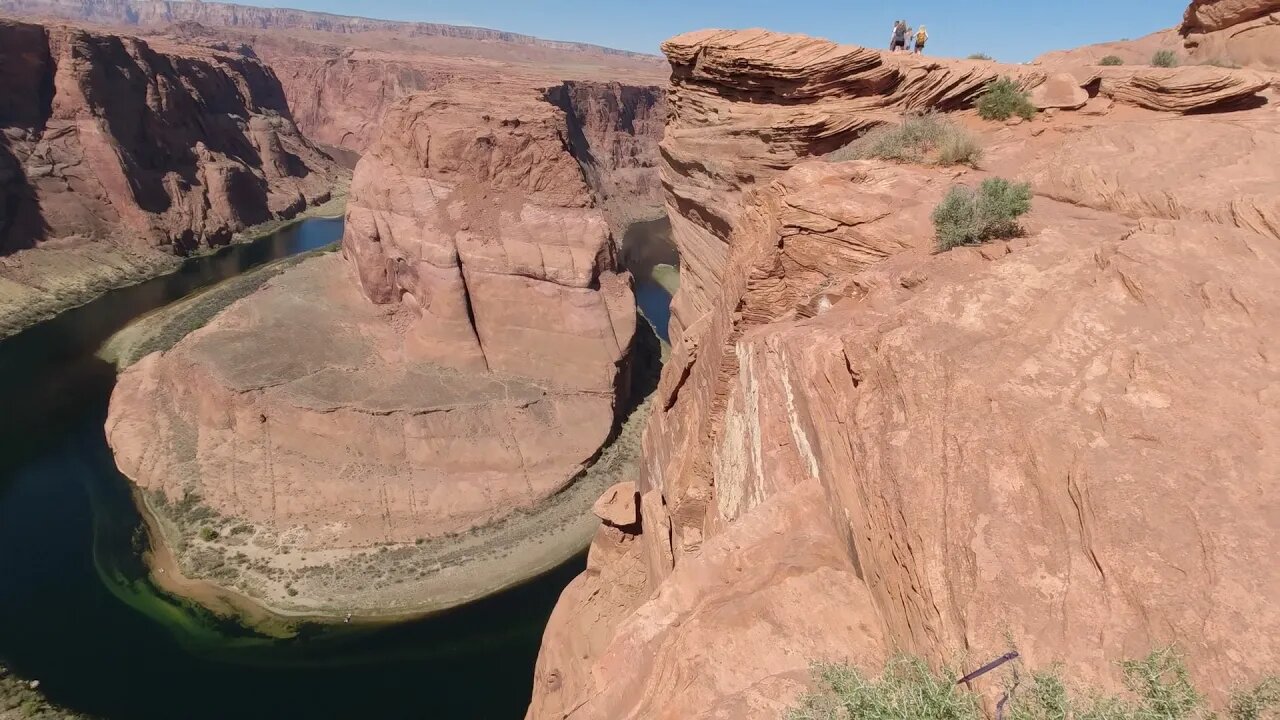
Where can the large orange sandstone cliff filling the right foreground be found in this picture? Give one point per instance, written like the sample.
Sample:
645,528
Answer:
861,446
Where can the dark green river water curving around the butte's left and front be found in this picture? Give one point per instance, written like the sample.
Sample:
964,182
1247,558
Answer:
77,612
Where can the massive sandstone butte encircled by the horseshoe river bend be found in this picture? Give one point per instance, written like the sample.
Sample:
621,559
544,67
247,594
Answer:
464,361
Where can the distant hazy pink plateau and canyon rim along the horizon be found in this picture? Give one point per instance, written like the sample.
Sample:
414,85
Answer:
341,74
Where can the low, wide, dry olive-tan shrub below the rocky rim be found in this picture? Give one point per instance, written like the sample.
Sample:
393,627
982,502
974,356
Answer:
929,139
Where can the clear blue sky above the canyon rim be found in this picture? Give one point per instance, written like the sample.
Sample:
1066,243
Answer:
1009,30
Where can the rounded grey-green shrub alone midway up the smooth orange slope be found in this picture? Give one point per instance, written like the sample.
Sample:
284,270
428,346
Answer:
968,217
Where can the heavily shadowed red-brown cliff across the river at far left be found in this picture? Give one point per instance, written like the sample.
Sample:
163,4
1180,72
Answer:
109,138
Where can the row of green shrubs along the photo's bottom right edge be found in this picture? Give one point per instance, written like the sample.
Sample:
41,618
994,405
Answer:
1158,689
